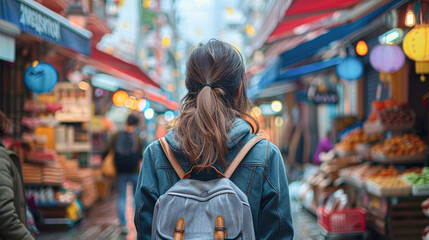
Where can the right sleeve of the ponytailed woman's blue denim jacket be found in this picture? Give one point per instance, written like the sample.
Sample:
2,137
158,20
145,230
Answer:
276,219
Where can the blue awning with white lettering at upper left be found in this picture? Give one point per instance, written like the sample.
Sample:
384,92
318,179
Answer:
37,20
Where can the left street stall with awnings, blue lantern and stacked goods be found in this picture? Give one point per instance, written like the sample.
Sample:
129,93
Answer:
53,81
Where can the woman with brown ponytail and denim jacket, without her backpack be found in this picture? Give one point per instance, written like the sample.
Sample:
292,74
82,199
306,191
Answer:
212,128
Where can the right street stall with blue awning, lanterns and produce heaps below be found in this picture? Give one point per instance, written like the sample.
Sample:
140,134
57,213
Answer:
368,93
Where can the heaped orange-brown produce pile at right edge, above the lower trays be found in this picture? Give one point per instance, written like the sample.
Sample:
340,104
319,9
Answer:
408,144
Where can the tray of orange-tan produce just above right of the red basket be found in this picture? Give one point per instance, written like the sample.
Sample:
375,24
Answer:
388,186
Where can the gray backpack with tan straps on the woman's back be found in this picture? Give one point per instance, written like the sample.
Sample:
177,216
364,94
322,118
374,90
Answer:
194,209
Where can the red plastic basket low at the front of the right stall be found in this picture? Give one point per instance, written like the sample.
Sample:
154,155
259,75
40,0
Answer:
342,221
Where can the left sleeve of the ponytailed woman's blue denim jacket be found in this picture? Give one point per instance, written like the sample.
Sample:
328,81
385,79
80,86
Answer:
146,194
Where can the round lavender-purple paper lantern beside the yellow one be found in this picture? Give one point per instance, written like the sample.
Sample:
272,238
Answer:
387,58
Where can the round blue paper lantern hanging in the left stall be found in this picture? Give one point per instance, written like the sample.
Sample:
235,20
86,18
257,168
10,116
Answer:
40,77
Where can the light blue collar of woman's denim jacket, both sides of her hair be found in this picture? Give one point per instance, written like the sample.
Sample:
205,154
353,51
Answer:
240,129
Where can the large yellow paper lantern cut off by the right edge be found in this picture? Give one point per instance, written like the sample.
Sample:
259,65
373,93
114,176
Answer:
416,47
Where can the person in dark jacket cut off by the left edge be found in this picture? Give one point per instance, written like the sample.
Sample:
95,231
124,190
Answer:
12,198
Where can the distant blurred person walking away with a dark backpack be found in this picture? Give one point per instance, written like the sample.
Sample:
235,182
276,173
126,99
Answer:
128,147
